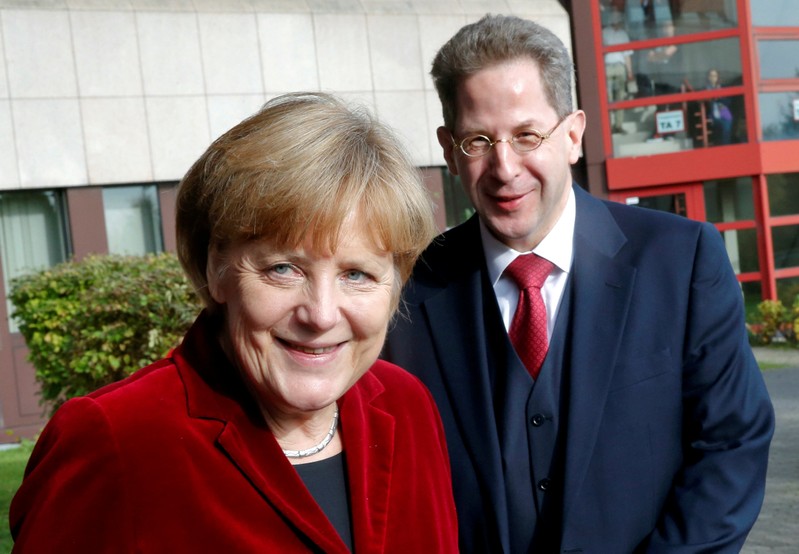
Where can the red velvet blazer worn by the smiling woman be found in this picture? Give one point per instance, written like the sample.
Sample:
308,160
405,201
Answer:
177,458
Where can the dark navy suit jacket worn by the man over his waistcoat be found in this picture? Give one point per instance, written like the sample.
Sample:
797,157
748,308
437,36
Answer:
669,422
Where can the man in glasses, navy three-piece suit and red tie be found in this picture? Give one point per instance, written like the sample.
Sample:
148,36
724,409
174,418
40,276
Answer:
647,428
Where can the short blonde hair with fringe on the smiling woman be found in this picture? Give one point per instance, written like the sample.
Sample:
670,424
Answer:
296,169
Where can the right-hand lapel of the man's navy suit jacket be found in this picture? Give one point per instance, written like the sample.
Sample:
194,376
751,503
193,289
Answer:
602,289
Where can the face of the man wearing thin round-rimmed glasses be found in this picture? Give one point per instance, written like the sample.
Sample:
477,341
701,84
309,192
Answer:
519,196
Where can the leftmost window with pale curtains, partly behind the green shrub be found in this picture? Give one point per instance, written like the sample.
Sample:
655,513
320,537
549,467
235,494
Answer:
33,233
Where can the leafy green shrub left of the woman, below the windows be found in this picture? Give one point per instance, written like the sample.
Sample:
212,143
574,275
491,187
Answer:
95,321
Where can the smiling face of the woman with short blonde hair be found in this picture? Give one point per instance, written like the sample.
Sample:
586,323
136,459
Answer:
304,325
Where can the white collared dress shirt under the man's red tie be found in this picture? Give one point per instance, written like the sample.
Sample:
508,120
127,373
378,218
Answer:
557,247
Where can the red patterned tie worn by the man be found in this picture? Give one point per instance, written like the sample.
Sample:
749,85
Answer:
528,330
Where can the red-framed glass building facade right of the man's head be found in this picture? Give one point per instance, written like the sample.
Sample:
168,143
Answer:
706,122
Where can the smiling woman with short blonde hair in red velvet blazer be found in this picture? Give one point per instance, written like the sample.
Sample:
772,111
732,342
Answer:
272,428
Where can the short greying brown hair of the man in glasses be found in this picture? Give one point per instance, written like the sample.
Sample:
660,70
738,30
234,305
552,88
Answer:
497,39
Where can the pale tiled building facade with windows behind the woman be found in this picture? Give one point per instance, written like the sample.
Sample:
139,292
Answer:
104,105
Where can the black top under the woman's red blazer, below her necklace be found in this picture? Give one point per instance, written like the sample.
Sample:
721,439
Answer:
327,482
